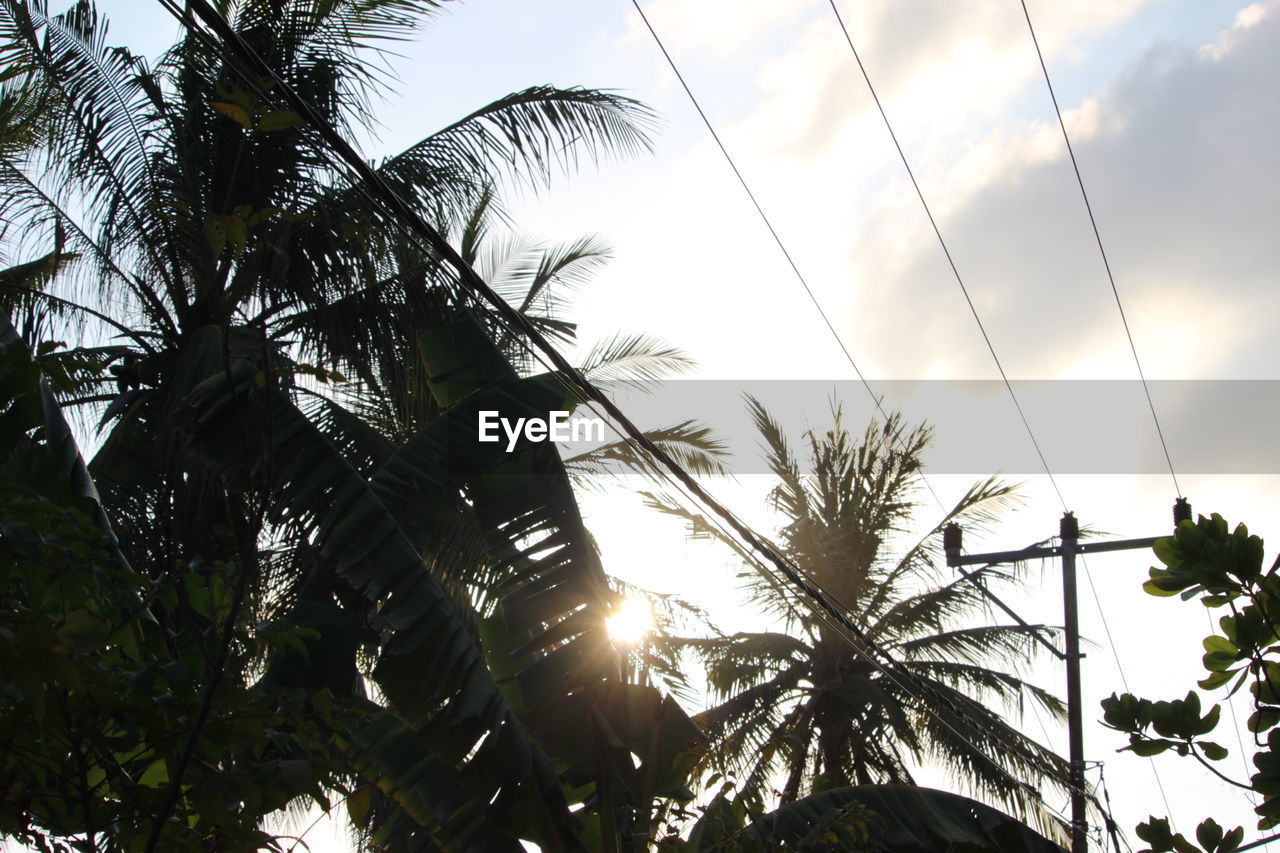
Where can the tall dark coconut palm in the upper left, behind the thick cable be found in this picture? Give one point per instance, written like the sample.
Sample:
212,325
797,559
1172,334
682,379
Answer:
217,232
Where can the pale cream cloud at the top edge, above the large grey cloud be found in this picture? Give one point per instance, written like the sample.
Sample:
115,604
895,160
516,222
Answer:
934,63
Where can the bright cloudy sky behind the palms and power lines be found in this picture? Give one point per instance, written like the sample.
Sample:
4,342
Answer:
1173,112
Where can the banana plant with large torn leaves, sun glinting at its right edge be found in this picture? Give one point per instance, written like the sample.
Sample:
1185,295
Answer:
488,701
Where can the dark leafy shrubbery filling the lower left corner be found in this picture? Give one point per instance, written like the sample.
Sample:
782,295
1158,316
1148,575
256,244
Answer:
99,715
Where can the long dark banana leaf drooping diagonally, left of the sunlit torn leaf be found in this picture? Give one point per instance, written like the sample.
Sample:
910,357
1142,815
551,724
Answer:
473,759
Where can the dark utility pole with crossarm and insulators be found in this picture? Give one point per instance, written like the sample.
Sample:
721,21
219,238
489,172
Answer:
1069,546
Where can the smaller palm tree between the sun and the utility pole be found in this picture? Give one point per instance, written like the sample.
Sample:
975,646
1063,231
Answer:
804,708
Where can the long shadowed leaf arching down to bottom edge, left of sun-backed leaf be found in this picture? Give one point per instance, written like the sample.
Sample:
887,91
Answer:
364,544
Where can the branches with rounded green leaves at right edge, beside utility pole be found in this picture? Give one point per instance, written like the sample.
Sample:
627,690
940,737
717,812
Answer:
1224,569
